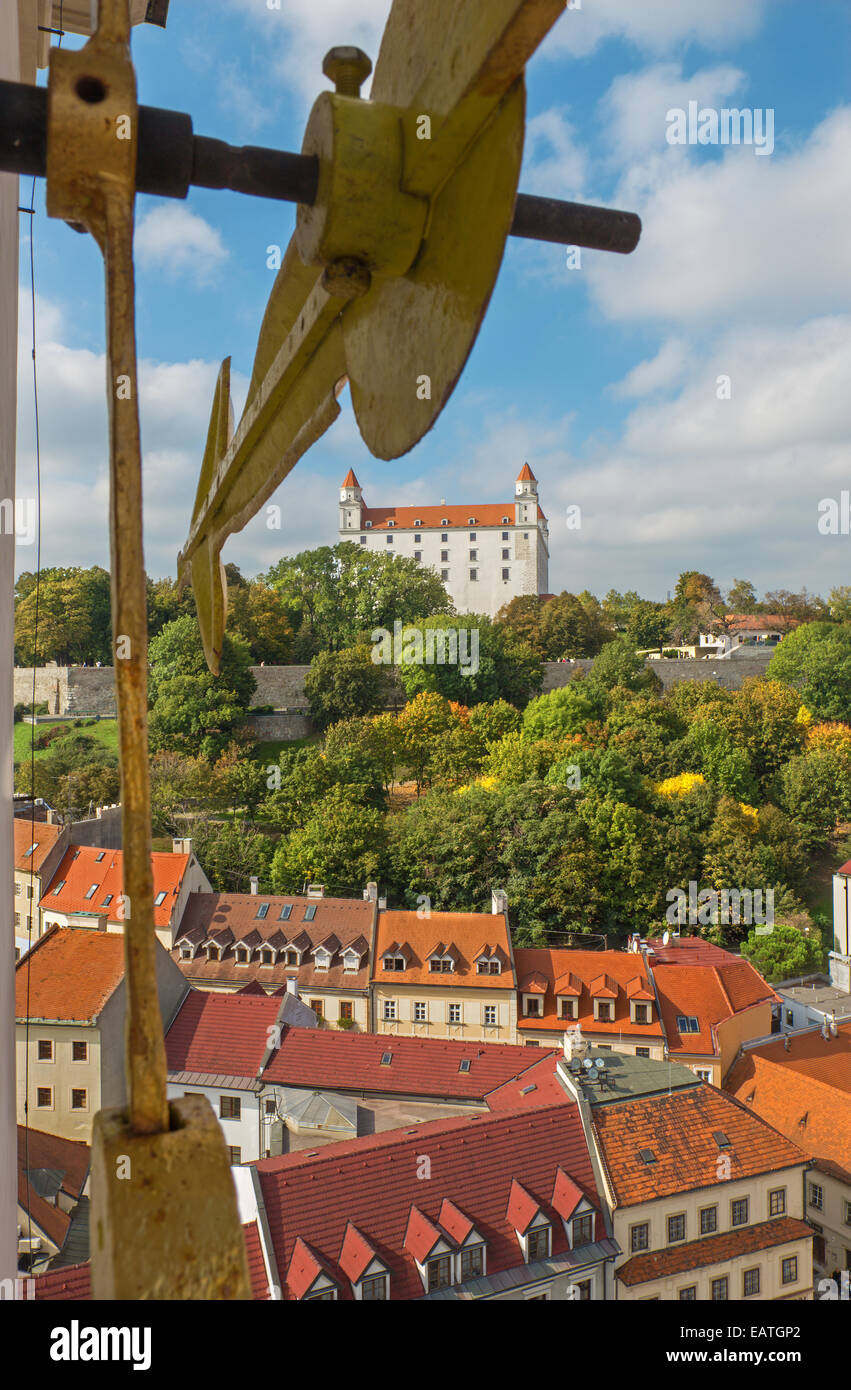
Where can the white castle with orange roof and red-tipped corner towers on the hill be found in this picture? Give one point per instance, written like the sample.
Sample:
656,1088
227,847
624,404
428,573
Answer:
486,554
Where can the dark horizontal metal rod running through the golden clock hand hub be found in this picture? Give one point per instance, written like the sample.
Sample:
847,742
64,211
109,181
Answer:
172,161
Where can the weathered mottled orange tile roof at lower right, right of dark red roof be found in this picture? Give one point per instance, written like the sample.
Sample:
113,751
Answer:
681,1134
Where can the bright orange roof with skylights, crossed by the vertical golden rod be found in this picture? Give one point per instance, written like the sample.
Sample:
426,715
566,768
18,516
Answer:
81,869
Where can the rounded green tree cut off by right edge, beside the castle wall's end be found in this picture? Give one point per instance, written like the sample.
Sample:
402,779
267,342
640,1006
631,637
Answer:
816,661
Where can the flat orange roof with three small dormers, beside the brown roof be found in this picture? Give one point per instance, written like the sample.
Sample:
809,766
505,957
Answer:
421,938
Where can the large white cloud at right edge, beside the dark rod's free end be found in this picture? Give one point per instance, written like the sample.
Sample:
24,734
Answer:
736,238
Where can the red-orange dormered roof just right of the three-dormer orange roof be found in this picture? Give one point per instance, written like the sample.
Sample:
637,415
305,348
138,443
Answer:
601,974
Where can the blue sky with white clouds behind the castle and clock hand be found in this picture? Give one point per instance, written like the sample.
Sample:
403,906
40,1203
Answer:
604,379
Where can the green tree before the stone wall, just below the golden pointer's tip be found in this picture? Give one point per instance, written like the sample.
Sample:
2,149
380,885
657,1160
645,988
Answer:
191,710
